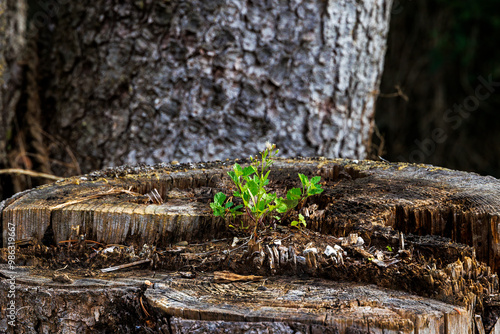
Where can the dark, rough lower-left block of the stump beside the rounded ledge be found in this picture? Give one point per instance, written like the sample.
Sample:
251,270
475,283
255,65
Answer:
86,305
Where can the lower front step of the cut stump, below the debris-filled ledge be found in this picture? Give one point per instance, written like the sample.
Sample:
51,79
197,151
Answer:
312,306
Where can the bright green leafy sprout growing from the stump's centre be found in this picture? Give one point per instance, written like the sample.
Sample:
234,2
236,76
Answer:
258,204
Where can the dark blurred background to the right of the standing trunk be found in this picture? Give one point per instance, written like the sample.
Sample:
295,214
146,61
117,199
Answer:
440,91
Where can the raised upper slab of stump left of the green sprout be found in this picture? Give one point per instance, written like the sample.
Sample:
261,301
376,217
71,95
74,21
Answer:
110,219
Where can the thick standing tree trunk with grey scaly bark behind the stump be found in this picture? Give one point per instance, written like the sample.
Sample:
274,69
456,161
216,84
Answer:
195,80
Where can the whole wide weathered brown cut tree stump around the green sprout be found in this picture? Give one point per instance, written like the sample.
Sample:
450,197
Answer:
388,248
